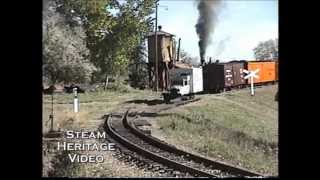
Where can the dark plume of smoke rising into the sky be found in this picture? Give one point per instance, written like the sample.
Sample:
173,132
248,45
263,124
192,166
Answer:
208,10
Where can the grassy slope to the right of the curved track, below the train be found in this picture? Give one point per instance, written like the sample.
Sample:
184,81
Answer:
232,126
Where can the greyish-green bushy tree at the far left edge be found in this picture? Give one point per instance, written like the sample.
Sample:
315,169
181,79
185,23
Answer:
65,55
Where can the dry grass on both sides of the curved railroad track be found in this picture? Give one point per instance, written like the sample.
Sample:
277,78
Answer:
232,126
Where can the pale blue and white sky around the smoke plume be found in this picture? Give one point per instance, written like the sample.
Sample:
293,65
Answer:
241,25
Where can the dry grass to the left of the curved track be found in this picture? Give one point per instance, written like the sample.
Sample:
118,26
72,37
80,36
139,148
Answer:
93,106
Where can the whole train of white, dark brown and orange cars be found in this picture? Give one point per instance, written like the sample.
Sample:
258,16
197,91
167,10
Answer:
217,77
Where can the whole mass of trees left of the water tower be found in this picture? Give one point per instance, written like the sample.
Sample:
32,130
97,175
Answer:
87,41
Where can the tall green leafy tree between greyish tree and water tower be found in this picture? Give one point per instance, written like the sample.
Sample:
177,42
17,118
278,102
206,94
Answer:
111,38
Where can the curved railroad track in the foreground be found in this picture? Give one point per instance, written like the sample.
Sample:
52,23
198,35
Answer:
167,159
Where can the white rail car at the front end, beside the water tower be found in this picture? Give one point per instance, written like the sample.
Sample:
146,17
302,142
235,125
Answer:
185,82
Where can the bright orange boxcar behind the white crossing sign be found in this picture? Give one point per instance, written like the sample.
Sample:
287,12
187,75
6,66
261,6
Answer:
267,71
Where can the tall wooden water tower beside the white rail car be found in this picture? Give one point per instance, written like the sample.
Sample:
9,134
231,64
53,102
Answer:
166,52
